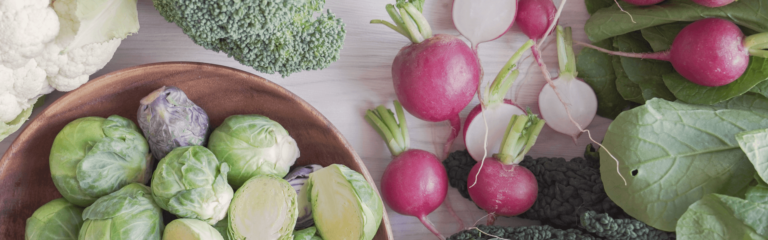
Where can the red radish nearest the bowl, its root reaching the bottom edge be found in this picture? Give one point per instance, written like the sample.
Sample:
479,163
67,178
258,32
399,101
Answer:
415,182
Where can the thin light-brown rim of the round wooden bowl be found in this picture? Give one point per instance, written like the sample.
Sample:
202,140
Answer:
107,78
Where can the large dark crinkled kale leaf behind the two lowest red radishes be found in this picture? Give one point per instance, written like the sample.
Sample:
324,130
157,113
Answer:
566,188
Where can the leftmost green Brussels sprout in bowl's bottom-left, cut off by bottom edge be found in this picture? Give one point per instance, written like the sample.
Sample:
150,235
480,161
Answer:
57,219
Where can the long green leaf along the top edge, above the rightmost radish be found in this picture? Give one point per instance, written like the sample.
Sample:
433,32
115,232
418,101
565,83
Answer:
610,22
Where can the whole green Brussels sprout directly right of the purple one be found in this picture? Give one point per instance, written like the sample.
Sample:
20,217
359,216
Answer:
253,145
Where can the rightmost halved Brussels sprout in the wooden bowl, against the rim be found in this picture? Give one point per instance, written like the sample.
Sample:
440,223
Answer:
344,205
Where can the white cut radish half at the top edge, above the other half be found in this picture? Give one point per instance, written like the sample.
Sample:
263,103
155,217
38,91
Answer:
483,21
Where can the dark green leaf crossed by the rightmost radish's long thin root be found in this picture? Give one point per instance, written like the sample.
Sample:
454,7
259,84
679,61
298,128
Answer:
646,73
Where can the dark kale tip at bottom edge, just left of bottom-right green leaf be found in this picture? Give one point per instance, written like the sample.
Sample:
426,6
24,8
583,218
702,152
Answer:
606,227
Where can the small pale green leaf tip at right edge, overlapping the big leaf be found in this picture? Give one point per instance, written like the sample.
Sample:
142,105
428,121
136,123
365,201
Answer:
755,145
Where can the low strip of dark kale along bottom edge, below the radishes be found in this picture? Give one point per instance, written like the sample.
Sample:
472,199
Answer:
543,232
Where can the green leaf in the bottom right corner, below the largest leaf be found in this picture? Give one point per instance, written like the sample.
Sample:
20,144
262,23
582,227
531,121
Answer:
723,217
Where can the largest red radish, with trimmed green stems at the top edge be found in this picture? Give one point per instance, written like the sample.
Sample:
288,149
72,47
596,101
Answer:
436,76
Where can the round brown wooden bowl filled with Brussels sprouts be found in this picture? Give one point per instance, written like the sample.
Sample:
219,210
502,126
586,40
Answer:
184,150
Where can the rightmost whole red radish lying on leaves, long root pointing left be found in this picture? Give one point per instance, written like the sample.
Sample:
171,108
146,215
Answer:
707,59
